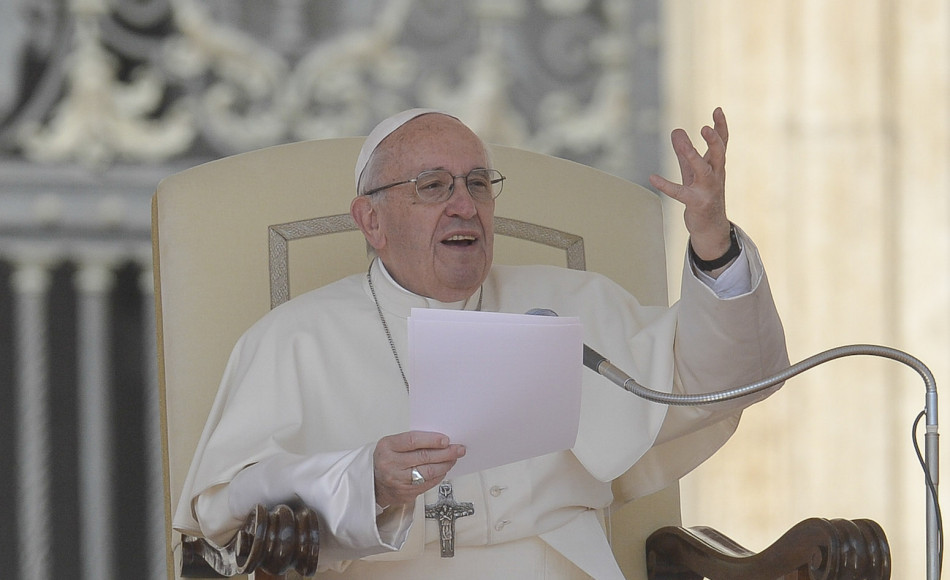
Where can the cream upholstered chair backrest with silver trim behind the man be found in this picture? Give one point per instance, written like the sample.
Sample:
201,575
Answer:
226,232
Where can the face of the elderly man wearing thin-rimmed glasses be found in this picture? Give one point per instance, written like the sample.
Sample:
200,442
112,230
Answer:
440,250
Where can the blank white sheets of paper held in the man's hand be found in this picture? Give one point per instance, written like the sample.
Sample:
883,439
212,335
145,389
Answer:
507,386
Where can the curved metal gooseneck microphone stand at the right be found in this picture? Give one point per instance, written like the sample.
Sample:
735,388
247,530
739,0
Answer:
601,365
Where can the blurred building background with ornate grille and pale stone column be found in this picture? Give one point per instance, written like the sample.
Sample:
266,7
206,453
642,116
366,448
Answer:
839,167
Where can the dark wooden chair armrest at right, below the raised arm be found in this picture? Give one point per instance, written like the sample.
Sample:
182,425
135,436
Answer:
815,549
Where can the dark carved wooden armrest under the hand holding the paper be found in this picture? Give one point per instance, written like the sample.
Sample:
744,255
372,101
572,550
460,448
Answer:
272,541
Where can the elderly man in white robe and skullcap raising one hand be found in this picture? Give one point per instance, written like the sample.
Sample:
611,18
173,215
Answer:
313,406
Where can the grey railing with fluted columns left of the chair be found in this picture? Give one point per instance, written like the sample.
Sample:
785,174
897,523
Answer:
75,254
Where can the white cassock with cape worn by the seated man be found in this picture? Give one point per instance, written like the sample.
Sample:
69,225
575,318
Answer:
313,385
